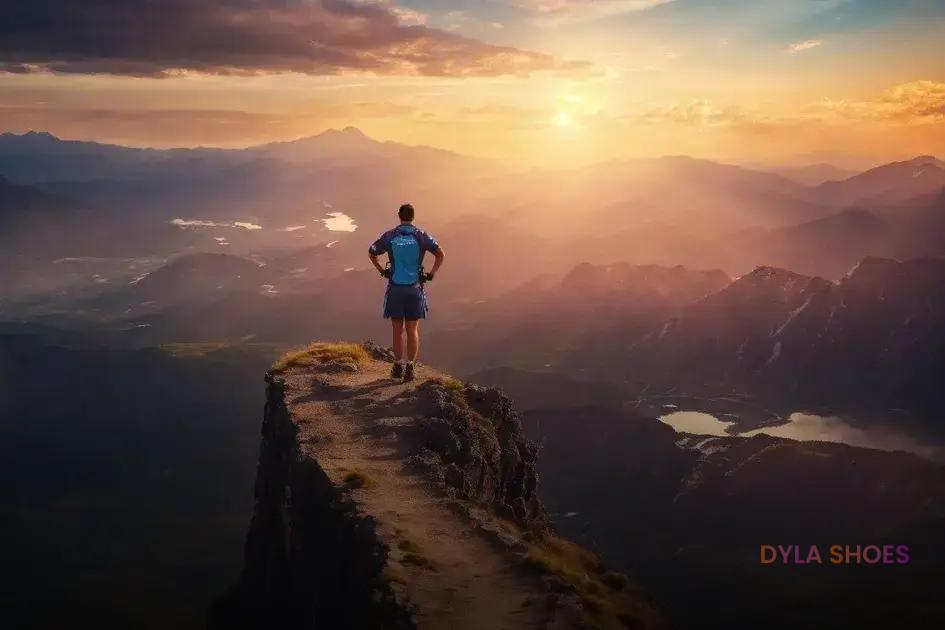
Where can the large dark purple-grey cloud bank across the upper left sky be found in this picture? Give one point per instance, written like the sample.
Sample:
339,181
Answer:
162,37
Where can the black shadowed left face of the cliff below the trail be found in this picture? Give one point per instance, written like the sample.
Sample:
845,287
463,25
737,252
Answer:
309,555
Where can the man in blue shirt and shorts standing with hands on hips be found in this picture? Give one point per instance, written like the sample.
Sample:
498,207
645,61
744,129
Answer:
405,302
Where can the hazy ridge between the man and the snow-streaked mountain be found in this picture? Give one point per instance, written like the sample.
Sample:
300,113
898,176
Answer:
591,307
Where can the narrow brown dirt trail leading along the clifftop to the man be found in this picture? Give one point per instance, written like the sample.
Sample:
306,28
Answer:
452,574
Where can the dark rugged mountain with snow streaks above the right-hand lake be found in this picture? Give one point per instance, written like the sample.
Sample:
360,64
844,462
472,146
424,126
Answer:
872,341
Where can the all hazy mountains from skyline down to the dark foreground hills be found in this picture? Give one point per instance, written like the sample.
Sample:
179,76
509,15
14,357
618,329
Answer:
515,291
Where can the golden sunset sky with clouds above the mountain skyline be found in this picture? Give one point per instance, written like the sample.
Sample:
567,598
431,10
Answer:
535,82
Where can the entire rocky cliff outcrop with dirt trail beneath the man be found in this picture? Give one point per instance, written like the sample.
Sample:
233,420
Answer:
383,504
